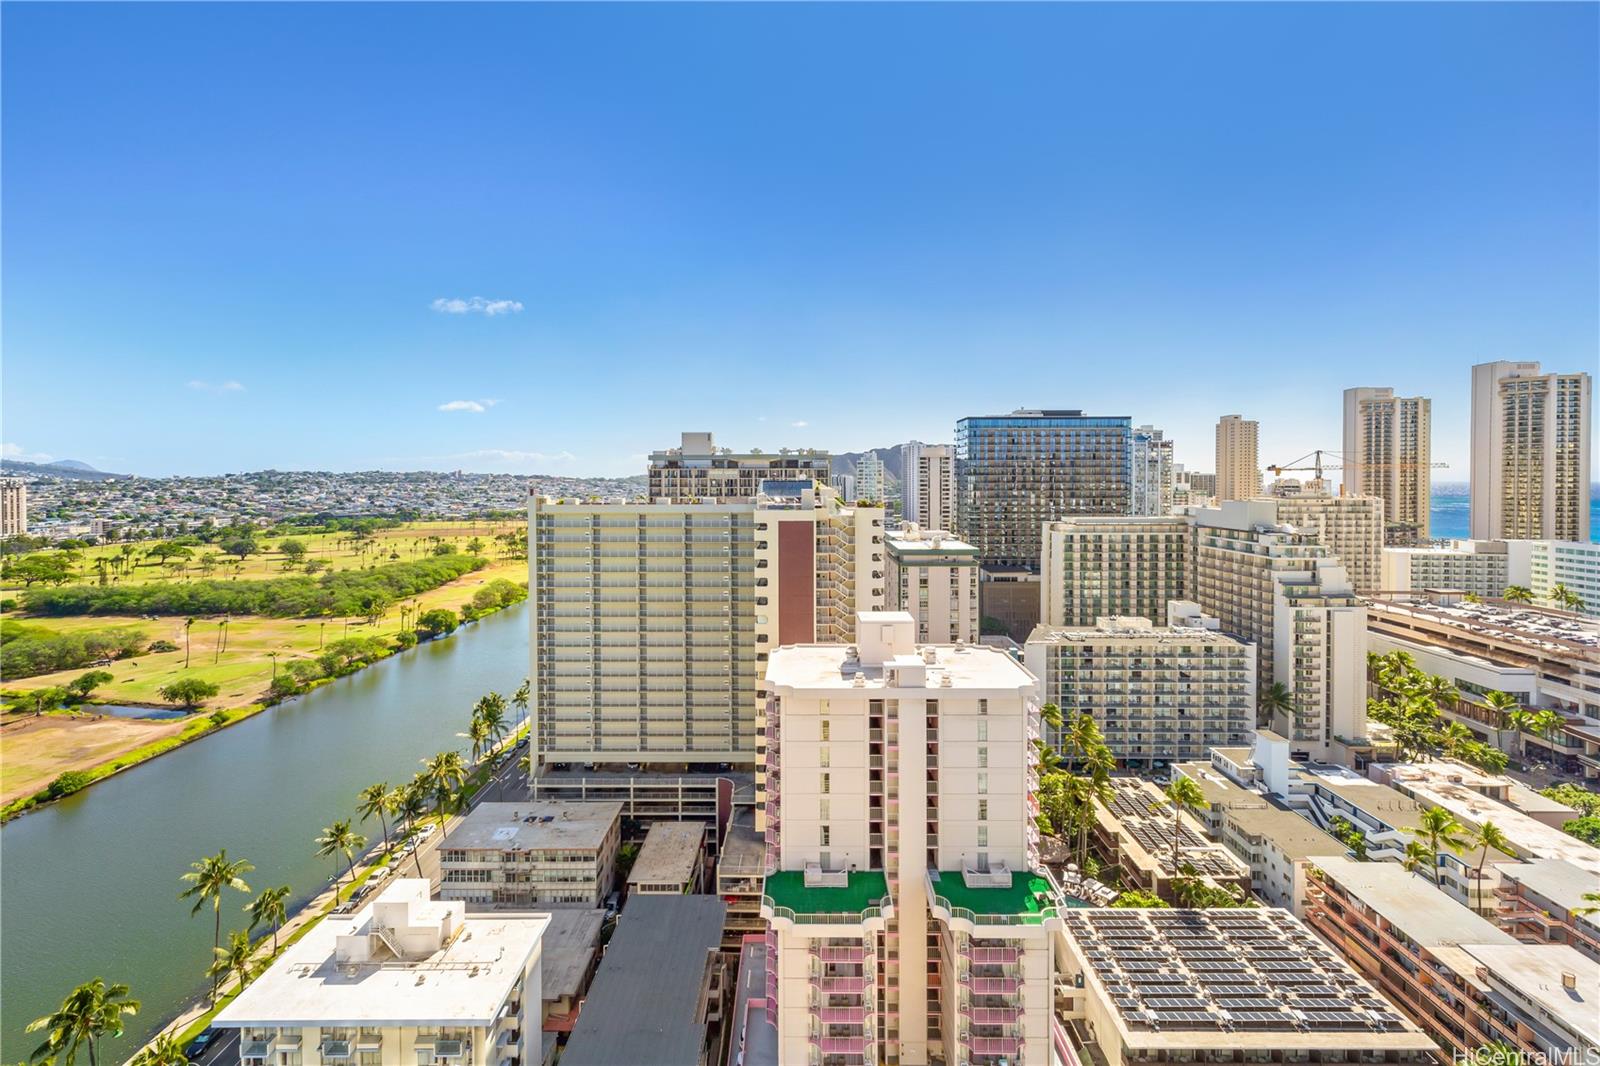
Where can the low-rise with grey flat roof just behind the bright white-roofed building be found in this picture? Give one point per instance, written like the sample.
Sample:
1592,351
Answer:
530,852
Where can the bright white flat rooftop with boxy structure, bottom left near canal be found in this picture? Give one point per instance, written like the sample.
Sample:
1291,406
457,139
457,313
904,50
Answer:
463,984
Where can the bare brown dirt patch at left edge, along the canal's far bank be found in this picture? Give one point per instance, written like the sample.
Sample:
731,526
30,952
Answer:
36,750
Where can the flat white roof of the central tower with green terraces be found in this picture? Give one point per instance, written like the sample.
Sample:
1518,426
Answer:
833,667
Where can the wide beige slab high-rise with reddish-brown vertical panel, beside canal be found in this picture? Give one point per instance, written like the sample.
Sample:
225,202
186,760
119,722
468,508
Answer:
650,623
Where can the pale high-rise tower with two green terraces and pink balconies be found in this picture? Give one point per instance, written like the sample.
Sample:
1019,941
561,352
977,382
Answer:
910,920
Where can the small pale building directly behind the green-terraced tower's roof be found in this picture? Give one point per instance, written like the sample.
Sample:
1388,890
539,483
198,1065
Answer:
934,577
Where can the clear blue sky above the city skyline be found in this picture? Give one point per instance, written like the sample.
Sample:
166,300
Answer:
233,234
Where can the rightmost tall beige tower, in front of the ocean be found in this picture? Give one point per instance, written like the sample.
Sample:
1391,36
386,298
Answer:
1530,454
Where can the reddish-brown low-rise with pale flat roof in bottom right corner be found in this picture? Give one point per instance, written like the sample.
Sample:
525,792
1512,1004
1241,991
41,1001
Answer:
1462,979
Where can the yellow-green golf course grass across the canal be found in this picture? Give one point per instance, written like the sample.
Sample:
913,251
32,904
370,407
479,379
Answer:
36,751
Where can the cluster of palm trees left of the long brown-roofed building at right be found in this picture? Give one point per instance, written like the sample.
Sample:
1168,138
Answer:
1414,707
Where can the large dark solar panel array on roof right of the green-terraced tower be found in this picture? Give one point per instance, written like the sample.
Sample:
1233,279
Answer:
1228,971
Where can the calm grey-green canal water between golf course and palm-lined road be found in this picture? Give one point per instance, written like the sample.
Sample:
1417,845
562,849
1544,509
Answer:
89,888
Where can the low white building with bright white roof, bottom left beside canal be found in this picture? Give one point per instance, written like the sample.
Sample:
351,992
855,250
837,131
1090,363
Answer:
402,980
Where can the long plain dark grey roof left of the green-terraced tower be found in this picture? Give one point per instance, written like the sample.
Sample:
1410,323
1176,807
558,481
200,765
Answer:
644,1004
